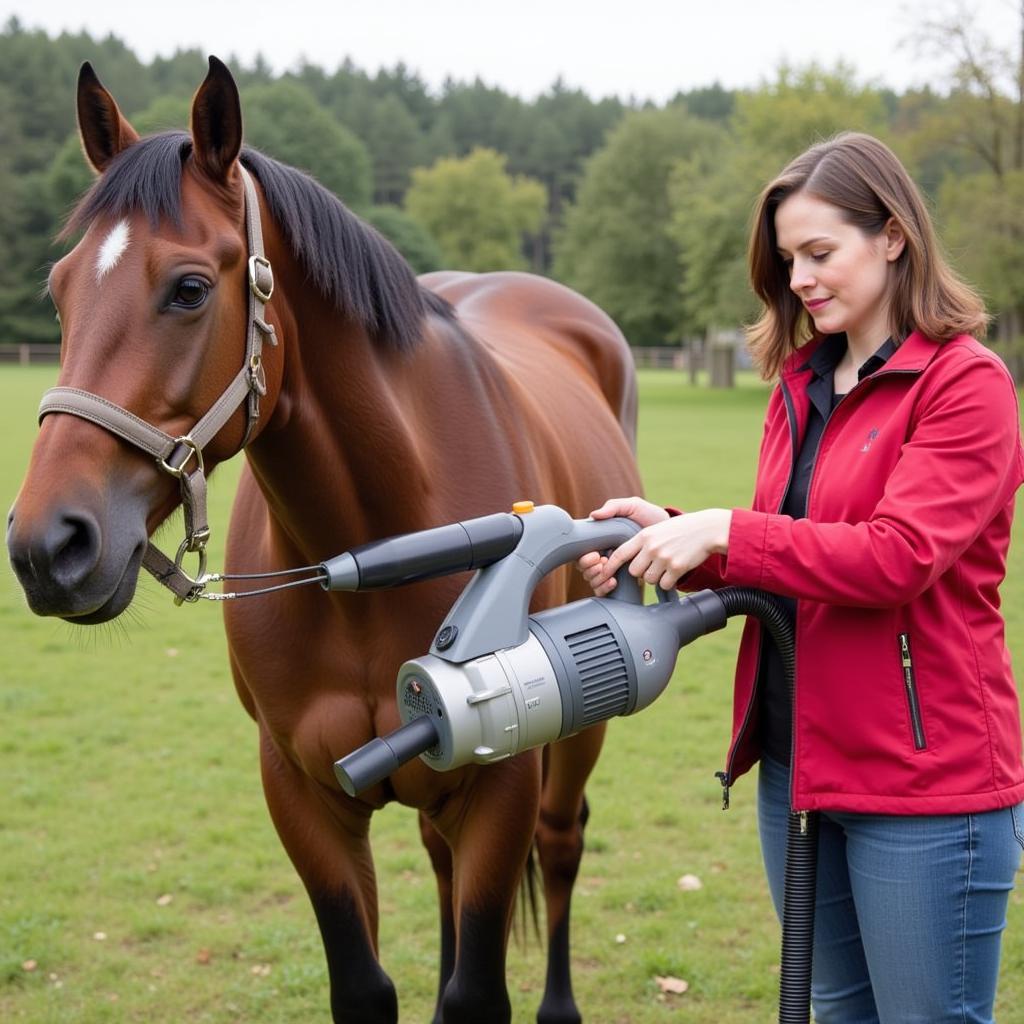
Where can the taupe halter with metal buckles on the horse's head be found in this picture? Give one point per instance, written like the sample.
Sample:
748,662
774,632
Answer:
183,457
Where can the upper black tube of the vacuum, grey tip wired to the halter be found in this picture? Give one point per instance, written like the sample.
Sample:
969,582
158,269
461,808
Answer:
425,554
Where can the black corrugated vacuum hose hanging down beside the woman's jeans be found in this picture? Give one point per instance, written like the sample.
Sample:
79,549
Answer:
802,833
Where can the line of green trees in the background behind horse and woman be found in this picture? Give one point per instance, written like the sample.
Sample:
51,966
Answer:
643,207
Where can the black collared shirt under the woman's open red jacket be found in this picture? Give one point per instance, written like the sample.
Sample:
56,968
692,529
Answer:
776,719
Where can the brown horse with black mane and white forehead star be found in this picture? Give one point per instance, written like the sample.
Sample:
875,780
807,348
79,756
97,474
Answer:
386,405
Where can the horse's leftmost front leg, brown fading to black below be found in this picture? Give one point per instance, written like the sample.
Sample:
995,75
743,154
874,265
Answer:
331,854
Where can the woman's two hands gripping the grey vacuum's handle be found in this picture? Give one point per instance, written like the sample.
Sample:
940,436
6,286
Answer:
665,550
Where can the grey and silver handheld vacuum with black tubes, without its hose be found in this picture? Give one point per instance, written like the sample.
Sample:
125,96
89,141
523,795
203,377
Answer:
498,680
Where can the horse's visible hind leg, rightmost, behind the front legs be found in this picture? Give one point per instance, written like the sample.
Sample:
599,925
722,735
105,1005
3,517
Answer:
560,848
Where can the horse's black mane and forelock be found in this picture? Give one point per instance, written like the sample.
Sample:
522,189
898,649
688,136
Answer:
352,264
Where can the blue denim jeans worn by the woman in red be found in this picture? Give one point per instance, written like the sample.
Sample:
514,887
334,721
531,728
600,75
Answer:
911,910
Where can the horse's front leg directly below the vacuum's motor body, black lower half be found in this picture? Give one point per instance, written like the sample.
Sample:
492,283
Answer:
491,830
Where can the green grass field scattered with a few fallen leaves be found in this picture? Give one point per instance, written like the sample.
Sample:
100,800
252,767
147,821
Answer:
141,880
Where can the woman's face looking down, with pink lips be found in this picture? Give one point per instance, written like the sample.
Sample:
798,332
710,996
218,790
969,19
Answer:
840,274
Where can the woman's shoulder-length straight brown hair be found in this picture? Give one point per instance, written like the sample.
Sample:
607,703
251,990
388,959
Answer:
865,179
